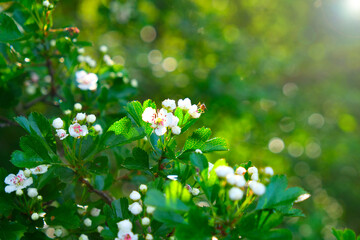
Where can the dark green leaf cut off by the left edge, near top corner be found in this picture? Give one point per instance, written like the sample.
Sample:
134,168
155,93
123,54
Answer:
8,29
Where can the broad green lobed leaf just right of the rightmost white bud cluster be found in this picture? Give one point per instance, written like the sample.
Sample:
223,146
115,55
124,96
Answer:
277,196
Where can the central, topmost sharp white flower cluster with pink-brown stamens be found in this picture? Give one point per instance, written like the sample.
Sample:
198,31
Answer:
164,118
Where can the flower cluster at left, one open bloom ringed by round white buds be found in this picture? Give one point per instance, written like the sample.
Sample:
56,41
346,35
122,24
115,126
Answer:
80,125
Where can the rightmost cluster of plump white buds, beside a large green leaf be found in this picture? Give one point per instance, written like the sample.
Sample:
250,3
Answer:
238,182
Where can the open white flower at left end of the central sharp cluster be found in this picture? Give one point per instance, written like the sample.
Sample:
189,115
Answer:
159,120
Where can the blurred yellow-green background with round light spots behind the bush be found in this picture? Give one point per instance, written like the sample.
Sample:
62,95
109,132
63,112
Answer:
279,79
